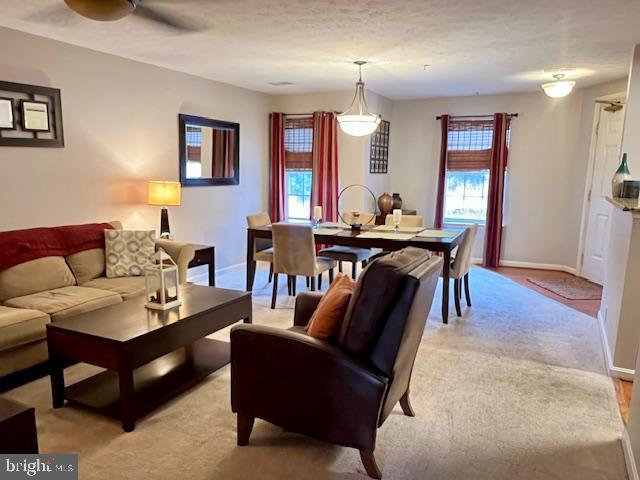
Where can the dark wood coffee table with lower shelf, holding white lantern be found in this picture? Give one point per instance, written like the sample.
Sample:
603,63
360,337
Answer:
150,356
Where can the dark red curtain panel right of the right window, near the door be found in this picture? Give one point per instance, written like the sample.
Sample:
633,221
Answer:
495,201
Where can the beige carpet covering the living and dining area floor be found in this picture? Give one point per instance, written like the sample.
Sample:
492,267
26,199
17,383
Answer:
513,390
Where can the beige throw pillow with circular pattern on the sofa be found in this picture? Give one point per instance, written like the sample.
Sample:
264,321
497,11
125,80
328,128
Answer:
127,252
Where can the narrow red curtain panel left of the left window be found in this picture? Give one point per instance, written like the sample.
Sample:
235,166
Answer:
276,164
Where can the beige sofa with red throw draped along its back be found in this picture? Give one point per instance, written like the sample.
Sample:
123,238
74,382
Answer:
52,288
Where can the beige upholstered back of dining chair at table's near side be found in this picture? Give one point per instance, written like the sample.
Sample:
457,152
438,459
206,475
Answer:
294,249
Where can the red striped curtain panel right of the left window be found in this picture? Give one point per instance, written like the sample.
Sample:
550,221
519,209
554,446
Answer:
324,188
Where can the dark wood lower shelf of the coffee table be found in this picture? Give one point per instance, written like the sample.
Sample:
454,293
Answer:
154,383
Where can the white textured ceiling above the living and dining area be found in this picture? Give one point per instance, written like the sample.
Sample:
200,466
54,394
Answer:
481,46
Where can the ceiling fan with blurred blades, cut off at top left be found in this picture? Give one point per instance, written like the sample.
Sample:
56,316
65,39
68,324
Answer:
112,10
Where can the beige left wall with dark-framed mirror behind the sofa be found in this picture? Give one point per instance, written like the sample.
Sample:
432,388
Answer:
121,129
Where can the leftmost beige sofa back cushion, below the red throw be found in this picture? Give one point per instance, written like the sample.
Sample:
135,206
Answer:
34,276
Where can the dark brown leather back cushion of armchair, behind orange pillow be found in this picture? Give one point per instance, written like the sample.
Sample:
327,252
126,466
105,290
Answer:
378,288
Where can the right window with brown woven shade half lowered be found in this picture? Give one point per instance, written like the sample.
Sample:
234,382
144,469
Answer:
469,145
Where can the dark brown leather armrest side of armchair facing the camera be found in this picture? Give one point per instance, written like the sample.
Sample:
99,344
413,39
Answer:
305,385
